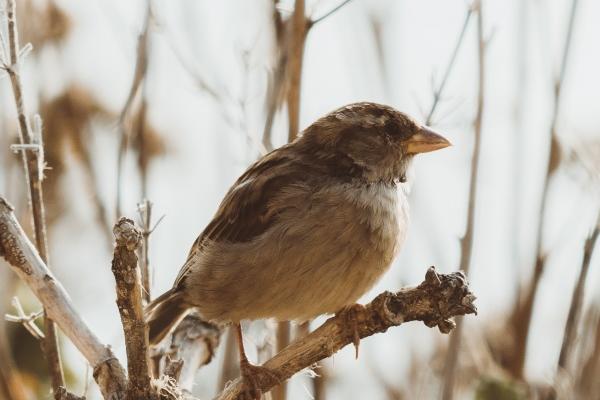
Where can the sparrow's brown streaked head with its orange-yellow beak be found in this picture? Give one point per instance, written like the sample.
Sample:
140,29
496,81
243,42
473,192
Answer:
372,141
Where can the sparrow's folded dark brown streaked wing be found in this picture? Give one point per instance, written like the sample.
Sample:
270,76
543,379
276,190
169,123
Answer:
249,209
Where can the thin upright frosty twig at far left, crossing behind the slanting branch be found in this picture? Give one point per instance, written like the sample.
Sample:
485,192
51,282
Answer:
33,163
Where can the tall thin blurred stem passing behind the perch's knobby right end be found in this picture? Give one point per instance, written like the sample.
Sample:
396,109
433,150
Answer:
466,243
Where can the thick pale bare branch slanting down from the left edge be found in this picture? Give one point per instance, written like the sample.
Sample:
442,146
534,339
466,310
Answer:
22,256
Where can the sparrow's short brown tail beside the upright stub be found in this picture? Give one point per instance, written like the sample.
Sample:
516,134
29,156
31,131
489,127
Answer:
163,314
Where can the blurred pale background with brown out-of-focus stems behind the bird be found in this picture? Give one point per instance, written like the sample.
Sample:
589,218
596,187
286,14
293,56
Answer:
171,100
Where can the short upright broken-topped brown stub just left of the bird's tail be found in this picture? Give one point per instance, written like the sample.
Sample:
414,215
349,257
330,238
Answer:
129,301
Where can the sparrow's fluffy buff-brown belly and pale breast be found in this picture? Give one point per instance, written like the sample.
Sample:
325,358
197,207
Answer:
324,262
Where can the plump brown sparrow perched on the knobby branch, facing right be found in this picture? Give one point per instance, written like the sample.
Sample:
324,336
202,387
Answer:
306,230
